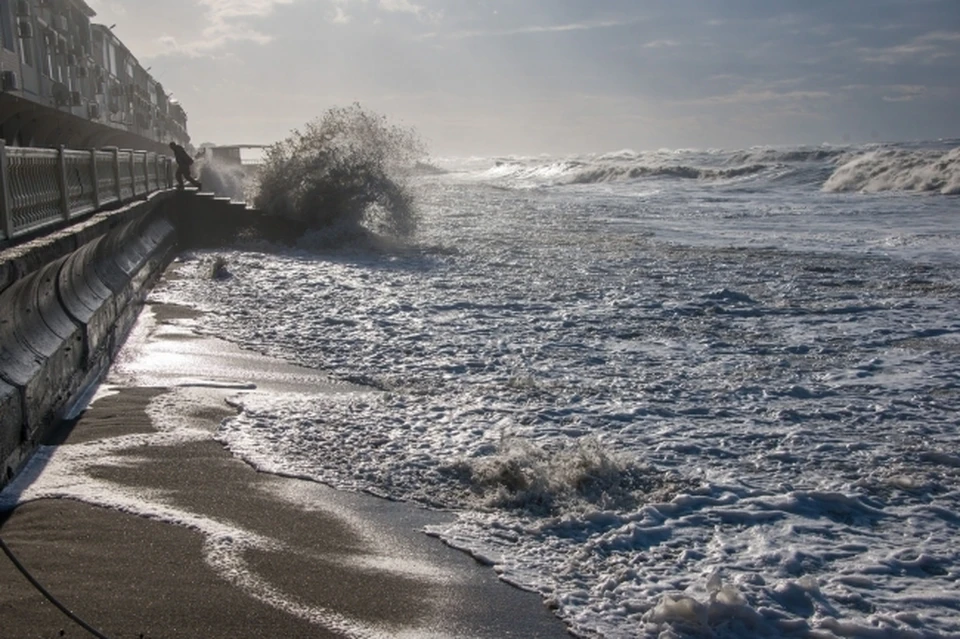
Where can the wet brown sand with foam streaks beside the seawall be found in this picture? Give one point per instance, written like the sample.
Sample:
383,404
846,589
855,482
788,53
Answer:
145,529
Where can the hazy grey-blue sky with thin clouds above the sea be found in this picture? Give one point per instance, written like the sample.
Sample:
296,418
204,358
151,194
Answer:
493,77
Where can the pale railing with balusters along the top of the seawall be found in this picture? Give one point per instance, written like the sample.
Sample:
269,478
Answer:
40,188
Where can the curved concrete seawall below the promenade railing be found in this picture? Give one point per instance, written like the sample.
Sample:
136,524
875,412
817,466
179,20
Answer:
67,302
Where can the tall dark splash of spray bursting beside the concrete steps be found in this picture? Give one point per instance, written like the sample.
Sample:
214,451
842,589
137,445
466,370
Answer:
345,169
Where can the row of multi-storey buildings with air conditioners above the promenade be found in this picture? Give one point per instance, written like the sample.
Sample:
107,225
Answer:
65,80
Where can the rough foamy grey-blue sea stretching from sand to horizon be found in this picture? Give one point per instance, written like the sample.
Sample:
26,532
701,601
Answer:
676,393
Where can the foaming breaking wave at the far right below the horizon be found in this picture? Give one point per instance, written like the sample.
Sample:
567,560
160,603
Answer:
898,170
